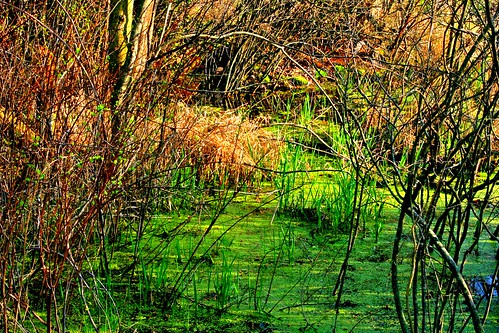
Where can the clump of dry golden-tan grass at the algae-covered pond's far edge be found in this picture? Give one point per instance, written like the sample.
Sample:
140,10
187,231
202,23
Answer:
223,146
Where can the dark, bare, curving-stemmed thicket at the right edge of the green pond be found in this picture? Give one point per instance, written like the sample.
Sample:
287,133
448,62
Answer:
429,130
